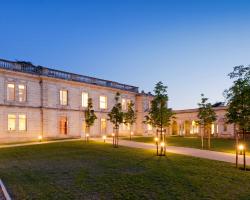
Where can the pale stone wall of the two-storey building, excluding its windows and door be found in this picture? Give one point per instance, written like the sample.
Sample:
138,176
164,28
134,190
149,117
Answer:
43,109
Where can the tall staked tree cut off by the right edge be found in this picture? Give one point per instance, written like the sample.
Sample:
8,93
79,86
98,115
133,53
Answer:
238,102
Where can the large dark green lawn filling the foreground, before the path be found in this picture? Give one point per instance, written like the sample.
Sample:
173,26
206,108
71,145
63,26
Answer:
75,170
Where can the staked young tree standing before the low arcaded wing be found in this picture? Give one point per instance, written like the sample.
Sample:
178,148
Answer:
206,117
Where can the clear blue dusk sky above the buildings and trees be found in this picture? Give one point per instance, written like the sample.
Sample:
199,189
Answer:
189,45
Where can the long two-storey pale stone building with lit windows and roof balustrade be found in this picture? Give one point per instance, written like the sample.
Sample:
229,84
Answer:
39,101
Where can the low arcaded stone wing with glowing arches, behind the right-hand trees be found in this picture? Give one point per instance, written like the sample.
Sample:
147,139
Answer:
185,124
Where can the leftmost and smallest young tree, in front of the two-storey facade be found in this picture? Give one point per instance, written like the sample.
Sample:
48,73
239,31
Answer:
90,116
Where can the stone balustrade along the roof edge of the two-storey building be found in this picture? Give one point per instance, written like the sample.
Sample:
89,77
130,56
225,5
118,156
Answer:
43,71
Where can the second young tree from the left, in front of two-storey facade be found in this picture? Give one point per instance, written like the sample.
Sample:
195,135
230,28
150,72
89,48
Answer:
116,117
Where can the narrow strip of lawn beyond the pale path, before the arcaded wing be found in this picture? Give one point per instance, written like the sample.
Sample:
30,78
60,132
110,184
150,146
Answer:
224,145
